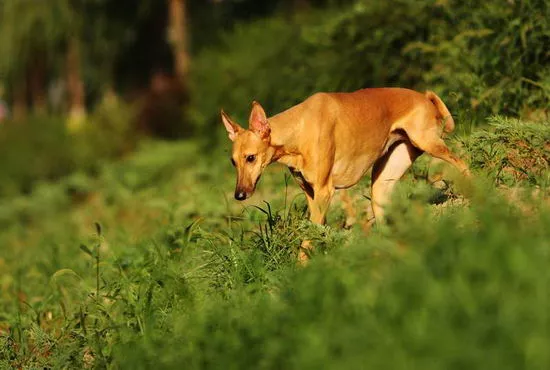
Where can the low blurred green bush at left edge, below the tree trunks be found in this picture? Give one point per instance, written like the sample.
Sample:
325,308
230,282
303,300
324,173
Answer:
41,149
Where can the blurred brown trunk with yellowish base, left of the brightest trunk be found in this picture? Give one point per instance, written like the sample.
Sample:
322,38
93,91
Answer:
75,86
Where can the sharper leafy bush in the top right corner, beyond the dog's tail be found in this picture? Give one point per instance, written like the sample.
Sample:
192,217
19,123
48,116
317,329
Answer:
492,56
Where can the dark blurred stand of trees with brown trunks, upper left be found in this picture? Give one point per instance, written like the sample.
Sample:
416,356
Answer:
89,47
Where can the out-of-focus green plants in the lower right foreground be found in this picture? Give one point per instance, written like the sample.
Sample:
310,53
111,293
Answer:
462,290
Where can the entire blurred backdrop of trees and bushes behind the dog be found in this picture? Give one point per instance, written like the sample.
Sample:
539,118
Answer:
106,73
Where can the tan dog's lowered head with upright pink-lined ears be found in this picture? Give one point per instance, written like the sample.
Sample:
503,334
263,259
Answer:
251,149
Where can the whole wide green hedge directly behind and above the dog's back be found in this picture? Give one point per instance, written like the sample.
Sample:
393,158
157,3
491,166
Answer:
482,58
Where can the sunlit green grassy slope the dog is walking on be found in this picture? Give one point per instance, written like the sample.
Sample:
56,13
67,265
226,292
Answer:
151,264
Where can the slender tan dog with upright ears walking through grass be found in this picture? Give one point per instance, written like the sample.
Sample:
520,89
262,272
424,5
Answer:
330,141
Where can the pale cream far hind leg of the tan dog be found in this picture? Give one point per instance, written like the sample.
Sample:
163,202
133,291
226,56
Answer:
387,170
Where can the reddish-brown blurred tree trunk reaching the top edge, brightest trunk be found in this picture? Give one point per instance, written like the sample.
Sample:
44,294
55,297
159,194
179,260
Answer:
177,34
